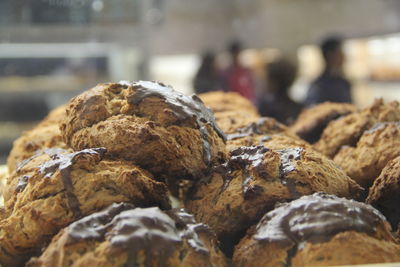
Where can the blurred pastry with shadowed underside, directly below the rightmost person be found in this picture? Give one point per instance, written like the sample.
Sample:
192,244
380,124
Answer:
312,121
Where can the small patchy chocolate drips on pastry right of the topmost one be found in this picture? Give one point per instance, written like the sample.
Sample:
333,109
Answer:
243,158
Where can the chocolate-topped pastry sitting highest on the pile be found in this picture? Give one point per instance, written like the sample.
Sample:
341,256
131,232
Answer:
147,123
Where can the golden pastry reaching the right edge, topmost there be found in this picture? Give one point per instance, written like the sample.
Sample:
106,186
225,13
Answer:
346,131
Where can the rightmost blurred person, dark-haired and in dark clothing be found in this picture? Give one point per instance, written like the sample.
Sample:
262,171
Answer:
331,85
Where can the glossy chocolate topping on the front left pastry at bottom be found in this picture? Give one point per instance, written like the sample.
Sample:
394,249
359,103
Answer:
158,234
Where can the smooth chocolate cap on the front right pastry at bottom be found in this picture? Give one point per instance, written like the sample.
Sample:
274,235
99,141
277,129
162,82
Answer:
316,218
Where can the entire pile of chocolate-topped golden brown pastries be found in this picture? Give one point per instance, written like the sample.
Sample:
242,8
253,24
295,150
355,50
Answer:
138,174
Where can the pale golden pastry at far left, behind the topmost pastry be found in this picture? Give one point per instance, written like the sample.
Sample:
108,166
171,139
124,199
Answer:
45,135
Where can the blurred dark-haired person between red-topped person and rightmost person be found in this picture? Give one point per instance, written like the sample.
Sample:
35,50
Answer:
274,101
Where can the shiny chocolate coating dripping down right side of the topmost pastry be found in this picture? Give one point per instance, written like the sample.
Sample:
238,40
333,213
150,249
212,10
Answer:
183,107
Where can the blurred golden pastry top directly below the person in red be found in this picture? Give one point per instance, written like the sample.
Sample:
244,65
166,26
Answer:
220,101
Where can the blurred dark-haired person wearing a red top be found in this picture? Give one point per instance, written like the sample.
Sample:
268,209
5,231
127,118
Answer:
237,78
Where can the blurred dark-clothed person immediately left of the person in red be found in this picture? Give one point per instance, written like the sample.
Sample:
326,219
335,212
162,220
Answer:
207,77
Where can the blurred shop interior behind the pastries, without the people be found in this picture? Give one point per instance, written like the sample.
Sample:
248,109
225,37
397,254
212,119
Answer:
51,50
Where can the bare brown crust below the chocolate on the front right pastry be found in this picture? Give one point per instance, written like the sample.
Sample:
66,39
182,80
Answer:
345,248
